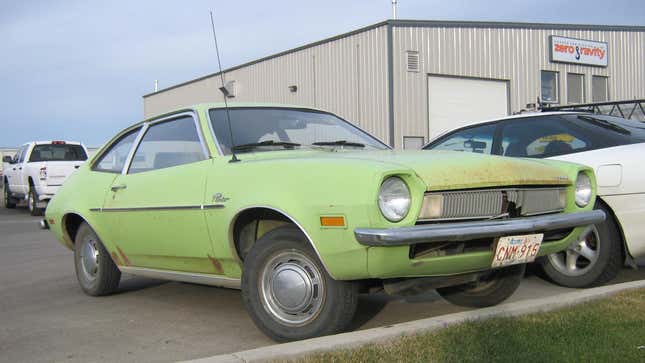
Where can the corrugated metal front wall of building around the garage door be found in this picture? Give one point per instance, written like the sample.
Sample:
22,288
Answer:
515,54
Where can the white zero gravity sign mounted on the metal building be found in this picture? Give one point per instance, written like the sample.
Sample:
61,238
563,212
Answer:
578,51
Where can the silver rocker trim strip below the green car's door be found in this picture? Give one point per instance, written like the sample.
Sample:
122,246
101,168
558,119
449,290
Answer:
191,277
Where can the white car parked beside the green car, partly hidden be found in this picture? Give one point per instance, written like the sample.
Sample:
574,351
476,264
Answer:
612,146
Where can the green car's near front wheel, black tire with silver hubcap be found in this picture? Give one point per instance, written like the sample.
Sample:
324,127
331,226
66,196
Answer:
280,253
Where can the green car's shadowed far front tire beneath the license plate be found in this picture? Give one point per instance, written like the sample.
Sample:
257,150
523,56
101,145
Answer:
491,289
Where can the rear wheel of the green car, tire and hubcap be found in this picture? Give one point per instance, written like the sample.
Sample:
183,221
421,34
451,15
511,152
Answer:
107,275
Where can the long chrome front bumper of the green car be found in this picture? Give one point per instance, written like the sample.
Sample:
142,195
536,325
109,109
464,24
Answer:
463,231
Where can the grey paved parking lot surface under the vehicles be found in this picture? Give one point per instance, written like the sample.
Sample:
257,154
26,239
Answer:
44,315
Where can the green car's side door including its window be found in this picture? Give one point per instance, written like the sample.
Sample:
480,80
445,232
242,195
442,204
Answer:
156,206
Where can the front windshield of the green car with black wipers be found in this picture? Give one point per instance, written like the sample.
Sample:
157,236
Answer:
273,127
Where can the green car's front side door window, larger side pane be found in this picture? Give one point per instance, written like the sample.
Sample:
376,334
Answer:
167,144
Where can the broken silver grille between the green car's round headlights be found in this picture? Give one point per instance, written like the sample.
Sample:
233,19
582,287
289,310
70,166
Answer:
490,203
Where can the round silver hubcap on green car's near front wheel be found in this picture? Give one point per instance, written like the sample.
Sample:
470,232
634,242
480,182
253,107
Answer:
292,288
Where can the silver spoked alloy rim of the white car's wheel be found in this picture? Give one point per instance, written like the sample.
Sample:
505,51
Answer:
580,256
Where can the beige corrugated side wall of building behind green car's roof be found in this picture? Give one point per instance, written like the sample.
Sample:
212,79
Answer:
347,76
